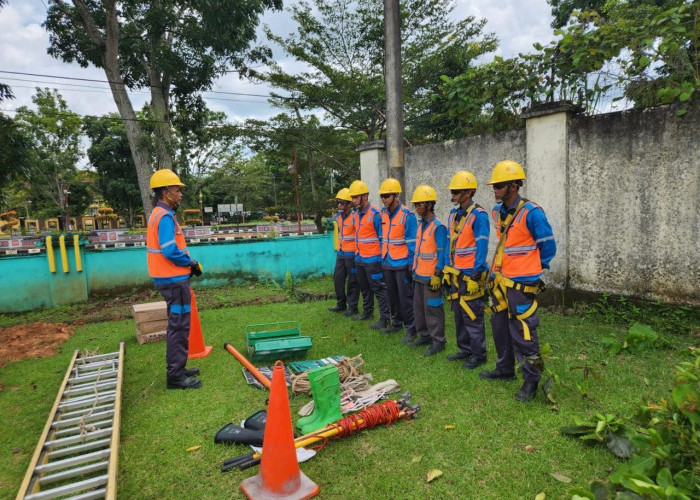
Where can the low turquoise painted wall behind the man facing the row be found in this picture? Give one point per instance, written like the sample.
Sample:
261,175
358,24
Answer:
28,283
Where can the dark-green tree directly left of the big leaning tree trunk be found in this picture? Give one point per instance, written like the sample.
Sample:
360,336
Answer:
109,154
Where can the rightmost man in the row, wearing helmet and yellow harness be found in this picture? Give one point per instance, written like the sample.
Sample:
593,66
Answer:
526,247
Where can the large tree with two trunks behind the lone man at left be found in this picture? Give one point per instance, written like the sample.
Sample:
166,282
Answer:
175,49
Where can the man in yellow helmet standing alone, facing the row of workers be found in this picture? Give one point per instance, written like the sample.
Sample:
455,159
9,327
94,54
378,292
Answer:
170,266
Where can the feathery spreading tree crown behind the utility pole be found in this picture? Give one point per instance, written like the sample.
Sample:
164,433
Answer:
343,47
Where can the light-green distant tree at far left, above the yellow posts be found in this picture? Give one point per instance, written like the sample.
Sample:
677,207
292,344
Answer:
54,132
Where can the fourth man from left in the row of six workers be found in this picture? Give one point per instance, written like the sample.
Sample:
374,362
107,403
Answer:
428,262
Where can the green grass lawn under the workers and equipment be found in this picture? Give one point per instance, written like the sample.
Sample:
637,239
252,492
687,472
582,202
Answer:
483,457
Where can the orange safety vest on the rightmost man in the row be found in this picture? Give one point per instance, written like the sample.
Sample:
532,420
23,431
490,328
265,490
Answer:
521,257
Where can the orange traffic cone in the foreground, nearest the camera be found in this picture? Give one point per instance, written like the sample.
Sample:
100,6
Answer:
279,475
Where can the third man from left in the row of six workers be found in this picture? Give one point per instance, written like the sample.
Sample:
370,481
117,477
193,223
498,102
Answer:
398,244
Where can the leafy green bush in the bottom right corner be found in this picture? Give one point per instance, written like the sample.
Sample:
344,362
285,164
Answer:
665,440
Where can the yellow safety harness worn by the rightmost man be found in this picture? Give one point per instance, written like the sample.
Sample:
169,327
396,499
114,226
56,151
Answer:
498,285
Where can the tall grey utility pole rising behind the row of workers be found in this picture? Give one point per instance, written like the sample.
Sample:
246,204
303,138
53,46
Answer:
394,97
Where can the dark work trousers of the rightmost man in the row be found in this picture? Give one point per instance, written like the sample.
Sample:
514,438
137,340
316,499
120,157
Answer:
508,336
